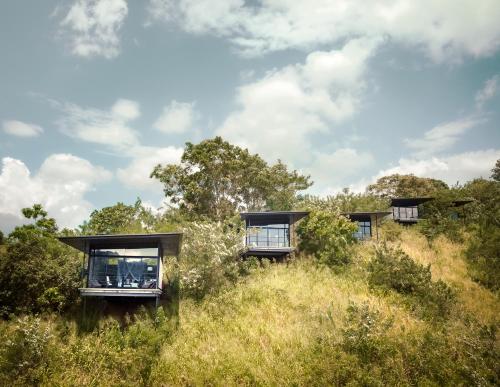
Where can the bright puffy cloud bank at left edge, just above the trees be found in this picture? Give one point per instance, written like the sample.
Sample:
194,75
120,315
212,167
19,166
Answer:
59,185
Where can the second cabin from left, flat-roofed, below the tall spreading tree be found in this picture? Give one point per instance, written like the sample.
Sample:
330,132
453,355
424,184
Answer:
271,233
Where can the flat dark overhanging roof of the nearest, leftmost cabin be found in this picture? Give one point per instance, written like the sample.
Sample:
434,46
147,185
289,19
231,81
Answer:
170,242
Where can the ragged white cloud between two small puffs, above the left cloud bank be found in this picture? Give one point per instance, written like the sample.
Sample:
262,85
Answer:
102,127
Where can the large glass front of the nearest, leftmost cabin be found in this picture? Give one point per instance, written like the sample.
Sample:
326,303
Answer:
124,268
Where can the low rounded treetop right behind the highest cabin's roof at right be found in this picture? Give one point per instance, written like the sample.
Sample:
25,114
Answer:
406,186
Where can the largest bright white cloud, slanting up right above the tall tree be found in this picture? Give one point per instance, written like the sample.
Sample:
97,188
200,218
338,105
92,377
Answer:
278,114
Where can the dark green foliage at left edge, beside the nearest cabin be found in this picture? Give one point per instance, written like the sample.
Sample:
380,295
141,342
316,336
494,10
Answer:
36,271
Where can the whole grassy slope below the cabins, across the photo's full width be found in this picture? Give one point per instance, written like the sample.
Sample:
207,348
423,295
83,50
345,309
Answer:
285,324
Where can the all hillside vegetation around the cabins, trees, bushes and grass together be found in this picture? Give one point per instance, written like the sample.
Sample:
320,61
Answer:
420,306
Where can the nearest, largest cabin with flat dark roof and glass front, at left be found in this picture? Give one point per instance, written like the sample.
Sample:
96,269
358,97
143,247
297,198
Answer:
124,265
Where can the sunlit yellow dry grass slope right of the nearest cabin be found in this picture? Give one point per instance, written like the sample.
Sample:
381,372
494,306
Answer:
290,324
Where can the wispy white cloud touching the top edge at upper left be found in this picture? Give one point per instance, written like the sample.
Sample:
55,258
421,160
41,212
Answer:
93,26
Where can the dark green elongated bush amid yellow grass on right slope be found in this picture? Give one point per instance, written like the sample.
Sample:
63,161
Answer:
393,269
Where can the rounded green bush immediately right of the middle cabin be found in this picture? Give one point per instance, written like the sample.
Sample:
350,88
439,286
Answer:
327,235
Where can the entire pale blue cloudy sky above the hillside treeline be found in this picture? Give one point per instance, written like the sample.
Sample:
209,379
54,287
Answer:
95,93
